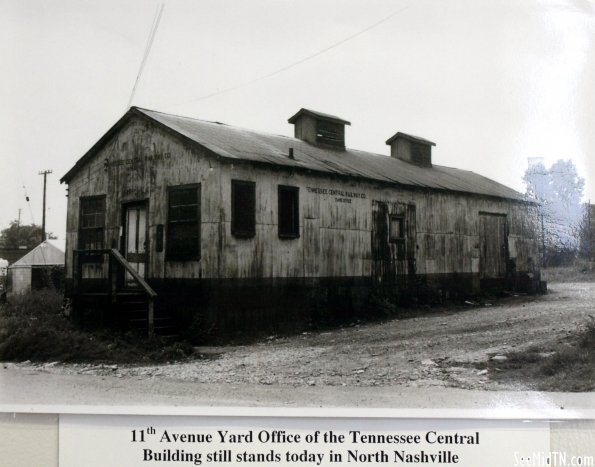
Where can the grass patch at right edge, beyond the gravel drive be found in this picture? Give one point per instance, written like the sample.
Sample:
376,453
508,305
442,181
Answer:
568,367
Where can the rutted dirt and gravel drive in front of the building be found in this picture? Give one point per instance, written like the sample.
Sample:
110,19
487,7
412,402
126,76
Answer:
443,349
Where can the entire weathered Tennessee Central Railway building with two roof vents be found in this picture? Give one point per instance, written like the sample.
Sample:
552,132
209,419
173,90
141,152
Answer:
177,221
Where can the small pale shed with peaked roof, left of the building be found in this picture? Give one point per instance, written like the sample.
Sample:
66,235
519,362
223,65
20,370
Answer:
41,267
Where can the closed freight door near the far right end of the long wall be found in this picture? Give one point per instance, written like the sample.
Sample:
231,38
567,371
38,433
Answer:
493,249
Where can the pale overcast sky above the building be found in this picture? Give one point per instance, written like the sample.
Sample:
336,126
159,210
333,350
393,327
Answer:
492,83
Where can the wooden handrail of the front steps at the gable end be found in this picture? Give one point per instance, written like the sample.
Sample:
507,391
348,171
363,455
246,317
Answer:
116,263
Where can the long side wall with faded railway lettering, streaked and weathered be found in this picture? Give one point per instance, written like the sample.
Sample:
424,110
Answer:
336,224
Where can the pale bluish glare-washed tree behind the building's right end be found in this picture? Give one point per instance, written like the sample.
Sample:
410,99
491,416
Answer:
558,190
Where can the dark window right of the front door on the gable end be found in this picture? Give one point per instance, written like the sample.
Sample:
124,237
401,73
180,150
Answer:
183,224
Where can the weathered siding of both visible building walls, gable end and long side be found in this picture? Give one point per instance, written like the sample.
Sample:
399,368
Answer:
335,214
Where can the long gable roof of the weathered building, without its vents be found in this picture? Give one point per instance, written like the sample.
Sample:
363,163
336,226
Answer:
233,143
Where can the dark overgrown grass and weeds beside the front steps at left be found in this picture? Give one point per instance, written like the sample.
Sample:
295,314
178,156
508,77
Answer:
33,327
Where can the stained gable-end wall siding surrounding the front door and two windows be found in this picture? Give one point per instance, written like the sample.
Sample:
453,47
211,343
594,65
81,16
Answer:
142,162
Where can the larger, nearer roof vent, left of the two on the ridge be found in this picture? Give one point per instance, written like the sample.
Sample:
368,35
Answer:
319,128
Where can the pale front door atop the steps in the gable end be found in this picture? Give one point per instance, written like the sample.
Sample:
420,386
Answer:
135,239
